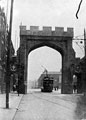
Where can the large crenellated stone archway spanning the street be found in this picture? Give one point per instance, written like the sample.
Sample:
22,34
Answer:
58,40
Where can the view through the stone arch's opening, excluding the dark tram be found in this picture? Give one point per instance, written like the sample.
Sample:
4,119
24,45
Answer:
42,59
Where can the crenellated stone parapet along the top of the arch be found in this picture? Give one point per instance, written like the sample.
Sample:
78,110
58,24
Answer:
46,31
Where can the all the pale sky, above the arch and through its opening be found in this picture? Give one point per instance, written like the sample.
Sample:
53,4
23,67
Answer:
55,13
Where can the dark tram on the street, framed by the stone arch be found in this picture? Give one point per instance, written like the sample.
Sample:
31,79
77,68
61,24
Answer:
47,84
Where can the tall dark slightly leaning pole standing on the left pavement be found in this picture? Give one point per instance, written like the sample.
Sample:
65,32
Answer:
8,57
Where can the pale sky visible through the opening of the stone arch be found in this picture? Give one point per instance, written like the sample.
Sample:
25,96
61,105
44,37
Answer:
41,59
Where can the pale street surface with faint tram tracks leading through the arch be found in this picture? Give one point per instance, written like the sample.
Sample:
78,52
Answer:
48,106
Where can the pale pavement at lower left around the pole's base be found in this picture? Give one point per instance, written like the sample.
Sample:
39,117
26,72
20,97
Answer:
14,101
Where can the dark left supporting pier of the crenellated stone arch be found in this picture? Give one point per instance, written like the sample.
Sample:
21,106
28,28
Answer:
22,70
